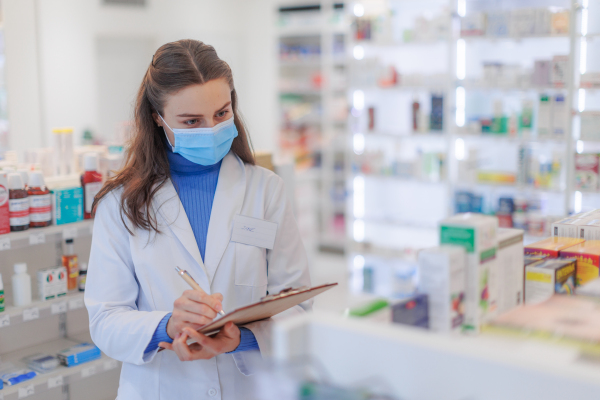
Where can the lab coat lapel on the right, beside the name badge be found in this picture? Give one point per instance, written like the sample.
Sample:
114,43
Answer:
228,201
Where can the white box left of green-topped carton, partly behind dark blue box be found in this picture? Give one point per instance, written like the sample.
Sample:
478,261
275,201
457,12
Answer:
442,278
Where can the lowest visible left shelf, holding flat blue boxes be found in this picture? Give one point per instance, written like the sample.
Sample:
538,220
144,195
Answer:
61,375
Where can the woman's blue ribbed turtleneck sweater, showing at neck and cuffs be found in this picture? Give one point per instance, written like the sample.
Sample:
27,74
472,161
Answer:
196,186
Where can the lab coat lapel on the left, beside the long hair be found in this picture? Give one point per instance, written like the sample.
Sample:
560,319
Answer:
170,207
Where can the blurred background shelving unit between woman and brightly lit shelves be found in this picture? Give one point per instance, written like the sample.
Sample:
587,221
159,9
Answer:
313,38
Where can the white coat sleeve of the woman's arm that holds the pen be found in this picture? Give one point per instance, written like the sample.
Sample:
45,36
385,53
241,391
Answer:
117,327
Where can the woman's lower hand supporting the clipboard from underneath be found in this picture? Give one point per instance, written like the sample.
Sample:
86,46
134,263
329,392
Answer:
206,347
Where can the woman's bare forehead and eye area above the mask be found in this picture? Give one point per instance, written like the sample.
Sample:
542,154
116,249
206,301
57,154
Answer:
199,99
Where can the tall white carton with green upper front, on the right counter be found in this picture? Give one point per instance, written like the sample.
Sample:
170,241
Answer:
476,233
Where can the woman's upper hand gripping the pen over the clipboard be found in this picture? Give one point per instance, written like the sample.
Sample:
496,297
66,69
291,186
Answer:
193,309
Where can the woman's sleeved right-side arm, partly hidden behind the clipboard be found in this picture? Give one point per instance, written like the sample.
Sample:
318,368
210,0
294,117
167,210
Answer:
287,267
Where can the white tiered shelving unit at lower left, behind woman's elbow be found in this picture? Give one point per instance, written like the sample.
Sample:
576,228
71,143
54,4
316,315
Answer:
47,326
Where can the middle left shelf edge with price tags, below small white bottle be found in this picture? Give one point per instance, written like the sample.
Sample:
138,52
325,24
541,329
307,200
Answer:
41,309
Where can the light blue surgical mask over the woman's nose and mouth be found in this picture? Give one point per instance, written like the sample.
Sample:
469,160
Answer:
204,146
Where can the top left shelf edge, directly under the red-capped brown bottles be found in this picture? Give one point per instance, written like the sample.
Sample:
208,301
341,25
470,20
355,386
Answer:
49,234
